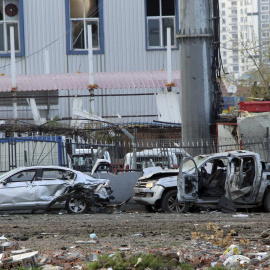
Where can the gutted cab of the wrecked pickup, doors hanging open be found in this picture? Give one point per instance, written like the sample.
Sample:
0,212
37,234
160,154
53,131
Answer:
226,181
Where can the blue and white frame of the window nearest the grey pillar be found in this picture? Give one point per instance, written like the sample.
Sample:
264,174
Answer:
176,19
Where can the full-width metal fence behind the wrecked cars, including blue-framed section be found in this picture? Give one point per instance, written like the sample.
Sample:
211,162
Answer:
17,152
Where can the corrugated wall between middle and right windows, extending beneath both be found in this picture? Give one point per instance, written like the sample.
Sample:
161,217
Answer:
125,44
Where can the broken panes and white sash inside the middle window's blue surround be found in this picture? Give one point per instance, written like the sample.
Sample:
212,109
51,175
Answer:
82,14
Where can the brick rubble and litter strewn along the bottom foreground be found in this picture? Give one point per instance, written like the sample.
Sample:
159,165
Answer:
200,255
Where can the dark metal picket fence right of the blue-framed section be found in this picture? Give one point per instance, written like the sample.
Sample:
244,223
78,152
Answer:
164,153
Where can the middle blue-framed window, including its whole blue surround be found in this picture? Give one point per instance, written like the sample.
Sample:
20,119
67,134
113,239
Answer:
80,14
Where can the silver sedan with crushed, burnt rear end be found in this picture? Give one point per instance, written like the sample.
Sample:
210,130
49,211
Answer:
44,187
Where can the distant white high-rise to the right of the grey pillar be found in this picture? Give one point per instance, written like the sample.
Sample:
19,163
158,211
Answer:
244,33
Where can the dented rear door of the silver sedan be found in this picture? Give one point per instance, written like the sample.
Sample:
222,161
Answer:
51,183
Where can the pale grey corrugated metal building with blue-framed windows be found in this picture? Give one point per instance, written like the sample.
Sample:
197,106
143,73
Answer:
128,35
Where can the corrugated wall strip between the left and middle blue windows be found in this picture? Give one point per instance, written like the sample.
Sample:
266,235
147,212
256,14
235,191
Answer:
45,27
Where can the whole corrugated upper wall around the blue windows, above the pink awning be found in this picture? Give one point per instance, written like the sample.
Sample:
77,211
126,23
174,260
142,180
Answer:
124,38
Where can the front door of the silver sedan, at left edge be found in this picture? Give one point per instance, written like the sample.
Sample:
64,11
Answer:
17,191
